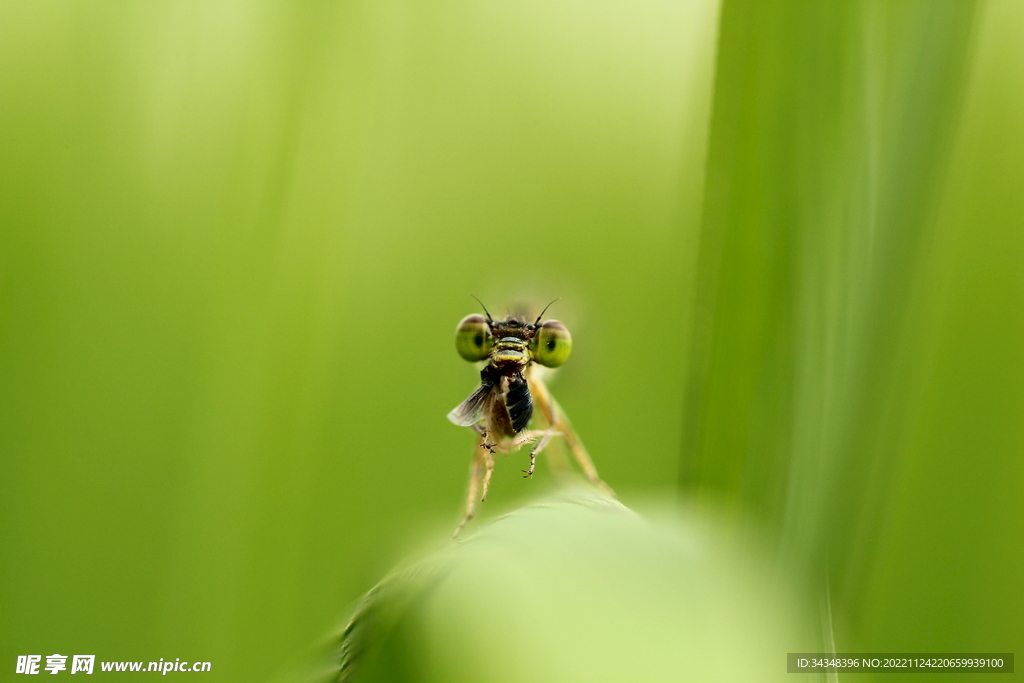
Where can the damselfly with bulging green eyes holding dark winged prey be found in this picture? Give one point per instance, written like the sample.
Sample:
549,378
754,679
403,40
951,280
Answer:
511,393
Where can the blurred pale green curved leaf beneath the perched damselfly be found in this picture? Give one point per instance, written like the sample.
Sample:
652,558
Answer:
575,589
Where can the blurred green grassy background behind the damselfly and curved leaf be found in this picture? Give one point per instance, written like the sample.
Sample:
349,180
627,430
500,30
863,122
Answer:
236,240
